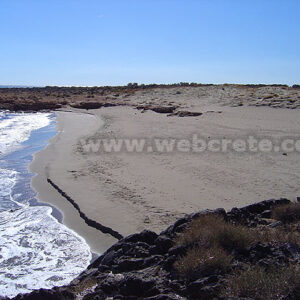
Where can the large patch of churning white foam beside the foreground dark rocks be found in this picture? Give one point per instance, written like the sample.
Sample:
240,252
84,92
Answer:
37,251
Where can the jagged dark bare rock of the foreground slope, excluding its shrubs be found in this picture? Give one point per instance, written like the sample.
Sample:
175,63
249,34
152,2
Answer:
141,266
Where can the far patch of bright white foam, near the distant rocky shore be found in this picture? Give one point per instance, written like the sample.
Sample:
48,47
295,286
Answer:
15,129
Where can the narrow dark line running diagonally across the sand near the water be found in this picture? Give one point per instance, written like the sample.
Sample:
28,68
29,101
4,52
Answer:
88,221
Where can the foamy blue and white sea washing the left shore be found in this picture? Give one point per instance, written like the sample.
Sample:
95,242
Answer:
36,249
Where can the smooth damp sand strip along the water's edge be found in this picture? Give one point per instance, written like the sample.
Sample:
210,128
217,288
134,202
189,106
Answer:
52,156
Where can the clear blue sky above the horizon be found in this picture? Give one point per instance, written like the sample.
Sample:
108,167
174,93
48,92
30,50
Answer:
112,42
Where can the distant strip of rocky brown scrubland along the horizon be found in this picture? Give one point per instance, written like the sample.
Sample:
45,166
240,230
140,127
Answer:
156,97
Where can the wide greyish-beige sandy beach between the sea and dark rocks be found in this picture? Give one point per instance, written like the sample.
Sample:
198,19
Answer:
129,192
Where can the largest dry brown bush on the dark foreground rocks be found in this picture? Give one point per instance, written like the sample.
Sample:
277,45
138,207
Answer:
209,240
